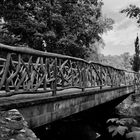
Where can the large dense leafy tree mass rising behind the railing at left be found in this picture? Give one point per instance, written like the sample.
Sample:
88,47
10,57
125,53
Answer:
68,27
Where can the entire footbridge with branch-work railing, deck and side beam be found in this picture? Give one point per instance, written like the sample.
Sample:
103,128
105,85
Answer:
46,87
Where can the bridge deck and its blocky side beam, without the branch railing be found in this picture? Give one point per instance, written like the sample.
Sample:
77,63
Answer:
39,109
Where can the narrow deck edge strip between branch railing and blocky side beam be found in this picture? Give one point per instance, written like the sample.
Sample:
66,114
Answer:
7,101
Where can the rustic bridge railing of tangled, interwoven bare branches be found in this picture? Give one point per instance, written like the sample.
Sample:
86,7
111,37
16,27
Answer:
24,70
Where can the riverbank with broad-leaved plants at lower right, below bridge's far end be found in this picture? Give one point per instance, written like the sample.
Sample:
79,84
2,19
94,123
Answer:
127,125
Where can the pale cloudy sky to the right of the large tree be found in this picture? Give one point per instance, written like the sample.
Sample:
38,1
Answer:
121,38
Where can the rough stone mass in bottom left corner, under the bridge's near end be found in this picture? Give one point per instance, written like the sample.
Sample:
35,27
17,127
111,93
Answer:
14,127
